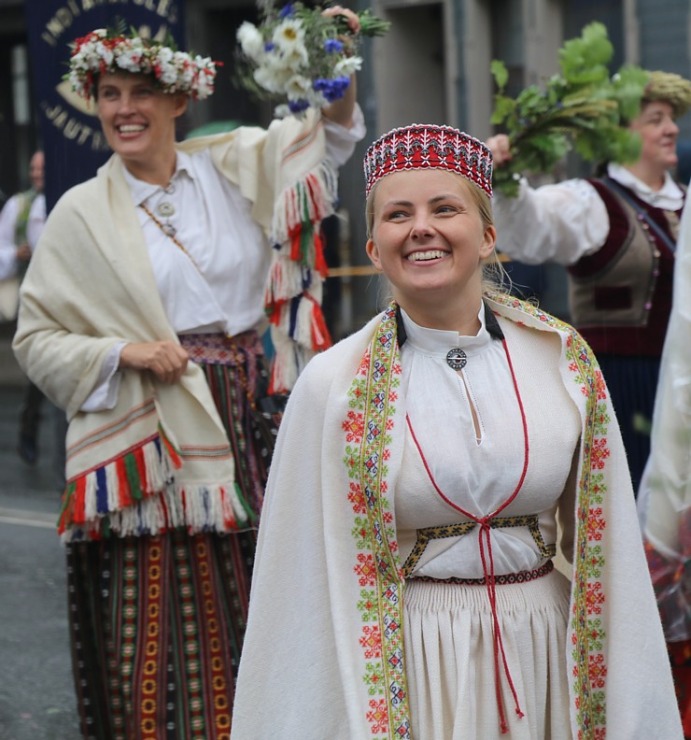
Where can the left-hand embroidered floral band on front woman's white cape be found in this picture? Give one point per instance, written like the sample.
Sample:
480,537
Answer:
368,437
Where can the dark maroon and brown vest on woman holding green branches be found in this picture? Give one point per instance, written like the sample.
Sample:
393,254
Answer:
621,296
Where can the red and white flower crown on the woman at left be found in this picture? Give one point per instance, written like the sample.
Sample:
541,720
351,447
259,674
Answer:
104,51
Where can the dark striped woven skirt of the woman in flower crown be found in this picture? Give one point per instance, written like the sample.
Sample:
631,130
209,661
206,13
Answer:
157,623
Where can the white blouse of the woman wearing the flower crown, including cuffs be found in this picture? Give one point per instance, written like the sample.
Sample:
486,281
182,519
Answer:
217,283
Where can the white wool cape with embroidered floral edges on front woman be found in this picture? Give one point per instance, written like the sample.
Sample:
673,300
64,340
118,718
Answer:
324,652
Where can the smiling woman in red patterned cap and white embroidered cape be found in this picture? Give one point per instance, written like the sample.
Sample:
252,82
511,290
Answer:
405,584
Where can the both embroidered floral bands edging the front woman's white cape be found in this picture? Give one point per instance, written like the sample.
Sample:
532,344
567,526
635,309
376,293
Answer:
367,429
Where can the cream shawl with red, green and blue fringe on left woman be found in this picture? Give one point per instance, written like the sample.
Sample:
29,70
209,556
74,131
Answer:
161,458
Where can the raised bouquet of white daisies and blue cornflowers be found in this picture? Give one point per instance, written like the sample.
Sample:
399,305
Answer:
301,55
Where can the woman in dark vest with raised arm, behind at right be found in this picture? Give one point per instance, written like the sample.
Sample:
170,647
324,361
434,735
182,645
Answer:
616,235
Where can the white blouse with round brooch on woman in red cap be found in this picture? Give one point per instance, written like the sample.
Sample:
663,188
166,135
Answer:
477,463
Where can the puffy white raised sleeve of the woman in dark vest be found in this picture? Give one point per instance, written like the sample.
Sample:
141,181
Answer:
553,223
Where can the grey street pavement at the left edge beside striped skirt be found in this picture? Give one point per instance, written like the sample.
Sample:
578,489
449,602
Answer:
37,700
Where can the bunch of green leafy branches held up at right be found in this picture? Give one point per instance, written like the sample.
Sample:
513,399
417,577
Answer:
582,108
